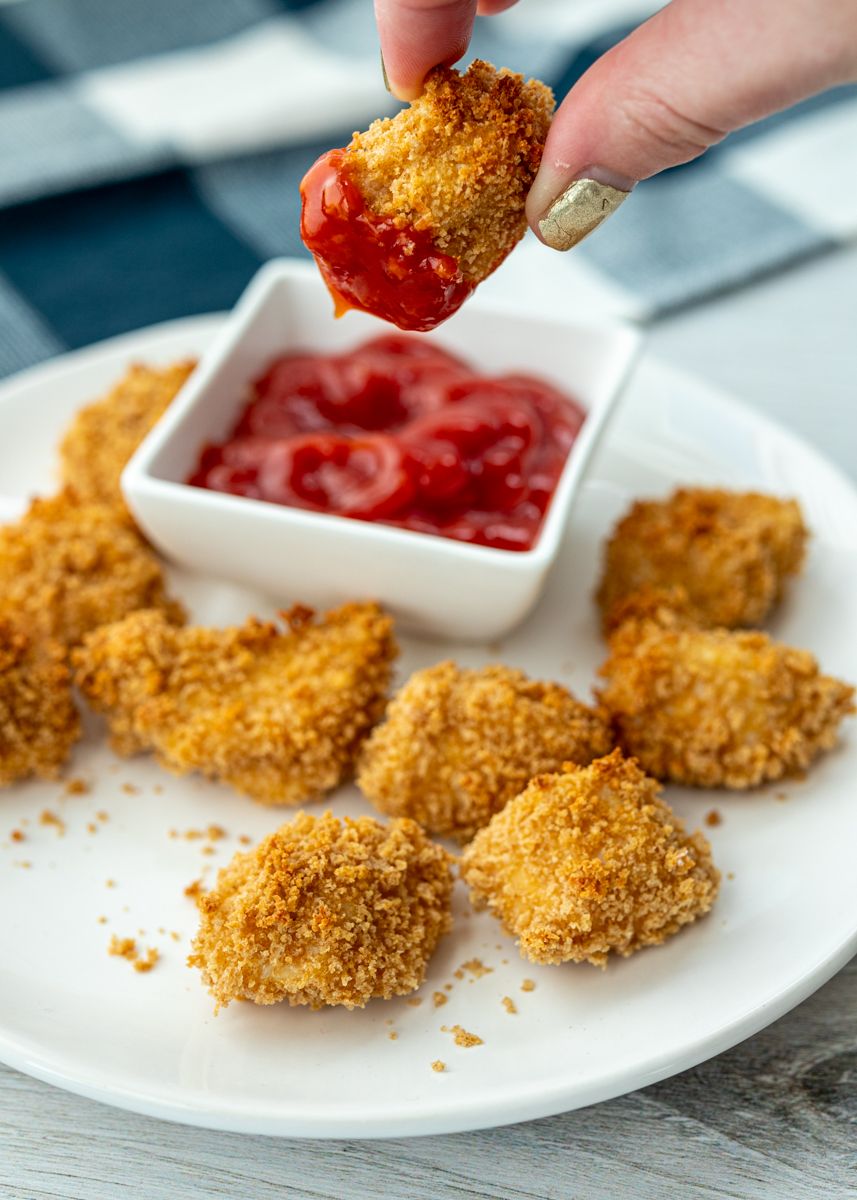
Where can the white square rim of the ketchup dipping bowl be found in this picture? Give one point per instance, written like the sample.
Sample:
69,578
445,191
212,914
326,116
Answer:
140,478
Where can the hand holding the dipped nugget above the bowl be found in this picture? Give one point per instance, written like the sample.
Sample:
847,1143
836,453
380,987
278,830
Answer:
679,85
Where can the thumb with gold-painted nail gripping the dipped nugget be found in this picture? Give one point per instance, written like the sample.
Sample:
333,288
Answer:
694,73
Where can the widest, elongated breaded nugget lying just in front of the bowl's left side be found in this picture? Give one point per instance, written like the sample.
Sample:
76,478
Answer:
278,716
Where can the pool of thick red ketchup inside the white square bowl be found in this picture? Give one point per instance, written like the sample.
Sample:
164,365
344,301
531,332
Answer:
400,433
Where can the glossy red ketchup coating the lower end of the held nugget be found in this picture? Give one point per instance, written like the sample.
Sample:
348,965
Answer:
370,262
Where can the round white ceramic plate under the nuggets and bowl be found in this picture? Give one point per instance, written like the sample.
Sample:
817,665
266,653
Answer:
787,919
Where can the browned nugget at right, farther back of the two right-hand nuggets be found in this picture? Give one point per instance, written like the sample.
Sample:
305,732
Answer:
732,551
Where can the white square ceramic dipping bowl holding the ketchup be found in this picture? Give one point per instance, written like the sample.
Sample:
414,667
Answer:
432,585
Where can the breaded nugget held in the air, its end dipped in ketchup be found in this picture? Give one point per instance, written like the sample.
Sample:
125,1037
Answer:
423,207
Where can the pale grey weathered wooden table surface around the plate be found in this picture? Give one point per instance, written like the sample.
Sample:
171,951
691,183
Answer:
774,1118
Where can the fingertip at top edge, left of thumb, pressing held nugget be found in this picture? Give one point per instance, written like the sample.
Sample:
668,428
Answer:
416,35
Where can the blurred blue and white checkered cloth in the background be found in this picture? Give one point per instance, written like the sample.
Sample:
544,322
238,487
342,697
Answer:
151,154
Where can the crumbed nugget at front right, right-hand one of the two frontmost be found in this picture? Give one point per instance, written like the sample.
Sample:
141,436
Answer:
590,862
